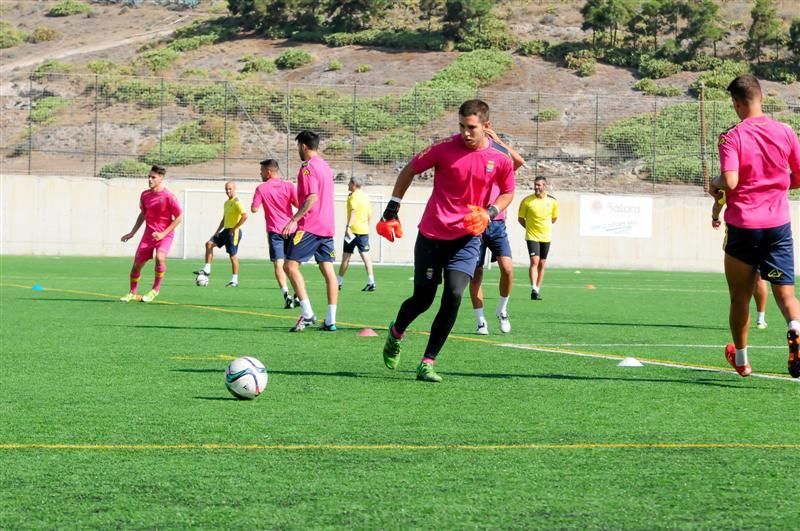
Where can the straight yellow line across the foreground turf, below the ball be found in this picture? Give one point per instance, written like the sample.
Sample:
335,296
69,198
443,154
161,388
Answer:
410,447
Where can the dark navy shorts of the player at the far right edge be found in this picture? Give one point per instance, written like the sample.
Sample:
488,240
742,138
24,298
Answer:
771,251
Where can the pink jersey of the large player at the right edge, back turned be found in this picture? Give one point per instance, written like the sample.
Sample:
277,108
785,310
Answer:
763,151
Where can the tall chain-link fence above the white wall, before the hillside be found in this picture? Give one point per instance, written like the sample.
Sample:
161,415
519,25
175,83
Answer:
116,126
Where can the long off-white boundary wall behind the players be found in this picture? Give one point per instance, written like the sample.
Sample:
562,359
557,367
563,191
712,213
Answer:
84,216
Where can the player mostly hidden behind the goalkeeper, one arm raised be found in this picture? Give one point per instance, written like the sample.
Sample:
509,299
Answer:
495,239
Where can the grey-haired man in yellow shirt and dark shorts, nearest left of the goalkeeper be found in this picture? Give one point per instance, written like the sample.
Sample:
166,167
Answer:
356,233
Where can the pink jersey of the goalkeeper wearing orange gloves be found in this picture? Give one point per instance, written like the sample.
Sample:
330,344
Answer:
462,177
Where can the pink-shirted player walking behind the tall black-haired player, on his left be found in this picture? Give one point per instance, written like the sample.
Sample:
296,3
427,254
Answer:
277,197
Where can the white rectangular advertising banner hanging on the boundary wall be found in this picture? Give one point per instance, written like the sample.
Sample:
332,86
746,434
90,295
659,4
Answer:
616,216
